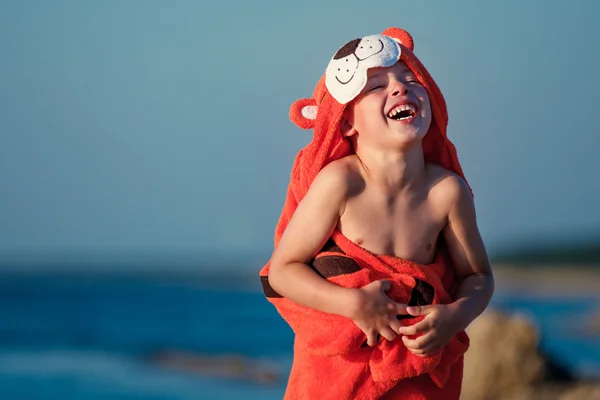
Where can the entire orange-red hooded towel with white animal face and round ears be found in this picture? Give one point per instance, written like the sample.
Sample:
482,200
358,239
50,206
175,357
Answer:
331,359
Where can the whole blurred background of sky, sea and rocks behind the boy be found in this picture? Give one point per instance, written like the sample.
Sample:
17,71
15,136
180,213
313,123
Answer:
144,159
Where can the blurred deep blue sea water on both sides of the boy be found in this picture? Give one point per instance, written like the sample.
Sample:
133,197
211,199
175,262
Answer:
93,337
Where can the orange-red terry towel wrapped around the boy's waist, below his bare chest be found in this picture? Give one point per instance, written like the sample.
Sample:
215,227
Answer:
331,349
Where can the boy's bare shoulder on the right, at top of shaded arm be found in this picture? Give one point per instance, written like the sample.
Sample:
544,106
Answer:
446,186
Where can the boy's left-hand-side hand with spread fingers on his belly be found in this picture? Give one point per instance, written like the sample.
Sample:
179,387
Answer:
375,313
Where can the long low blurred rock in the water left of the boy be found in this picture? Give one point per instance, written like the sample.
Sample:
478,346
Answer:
223,366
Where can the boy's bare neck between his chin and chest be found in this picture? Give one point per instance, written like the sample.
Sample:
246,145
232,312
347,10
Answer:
395,170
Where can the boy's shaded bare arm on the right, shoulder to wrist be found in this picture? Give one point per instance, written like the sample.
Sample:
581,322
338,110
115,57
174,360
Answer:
468,256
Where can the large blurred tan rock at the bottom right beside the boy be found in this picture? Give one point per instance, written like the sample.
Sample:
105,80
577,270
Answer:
505,363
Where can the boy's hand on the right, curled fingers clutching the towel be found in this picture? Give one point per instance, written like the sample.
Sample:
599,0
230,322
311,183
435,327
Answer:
440,324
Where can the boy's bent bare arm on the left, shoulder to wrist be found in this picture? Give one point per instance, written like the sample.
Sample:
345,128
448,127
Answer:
310,227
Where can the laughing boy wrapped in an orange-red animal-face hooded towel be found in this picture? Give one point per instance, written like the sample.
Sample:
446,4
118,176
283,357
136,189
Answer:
380,185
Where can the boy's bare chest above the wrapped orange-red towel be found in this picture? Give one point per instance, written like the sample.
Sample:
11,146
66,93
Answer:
407,229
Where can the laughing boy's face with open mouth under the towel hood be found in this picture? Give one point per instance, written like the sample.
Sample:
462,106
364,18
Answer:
393,108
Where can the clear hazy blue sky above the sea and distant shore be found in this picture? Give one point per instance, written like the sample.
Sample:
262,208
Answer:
150,126
